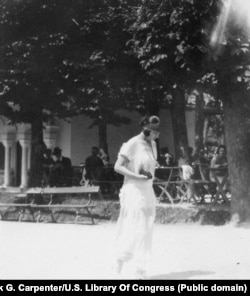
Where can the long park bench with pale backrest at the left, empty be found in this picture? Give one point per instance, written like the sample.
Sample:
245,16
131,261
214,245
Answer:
34,200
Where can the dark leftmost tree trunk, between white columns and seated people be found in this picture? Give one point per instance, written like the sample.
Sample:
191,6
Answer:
37,149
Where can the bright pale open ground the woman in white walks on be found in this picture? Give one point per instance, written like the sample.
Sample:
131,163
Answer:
67,251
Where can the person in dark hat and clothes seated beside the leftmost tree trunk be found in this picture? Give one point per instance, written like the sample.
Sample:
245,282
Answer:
62,172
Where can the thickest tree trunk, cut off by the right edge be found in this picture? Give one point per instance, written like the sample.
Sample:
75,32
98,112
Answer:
237,128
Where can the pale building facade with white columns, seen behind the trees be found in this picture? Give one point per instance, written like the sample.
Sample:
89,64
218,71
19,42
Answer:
75,138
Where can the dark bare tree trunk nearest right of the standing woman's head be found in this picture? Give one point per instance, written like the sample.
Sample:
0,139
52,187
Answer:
178,113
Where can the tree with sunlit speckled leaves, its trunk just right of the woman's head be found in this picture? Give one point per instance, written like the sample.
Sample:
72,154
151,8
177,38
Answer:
169,41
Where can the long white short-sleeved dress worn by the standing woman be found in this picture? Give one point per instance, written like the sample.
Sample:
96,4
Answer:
137,200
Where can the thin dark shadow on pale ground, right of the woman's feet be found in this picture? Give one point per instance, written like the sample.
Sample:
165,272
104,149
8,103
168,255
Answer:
180,275
